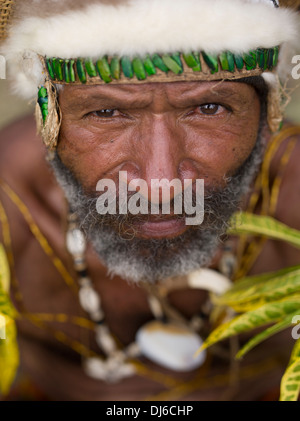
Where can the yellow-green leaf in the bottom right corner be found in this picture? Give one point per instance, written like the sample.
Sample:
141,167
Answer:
290,382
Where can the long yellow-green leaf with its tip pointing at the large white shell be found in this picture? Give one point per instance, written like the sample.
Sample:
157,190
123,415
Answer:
263,315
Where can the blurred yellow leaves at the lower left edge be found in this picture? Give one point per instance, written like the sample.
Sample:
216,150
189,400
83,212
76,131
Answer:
9,352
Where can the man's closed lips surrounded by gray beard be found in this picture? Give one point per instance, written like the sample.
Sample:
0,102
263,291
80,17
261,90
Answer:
160,228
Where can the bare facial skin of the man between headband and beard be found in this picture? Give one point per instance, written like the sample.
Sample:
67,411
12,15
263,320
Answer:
158,132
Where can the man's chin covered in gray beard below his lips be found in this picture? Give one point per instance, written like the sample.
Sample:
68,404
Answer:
154,259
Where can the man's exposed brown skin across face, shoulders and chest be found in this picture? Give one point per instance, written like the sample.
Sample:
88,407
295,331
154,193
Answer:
159,131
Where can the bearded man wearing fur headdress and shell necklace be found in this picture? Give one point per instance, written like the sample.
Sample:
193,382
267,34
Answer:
128,93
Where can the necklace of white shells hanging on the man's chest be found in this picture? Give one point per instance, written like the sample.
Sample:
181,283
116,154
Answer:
169,340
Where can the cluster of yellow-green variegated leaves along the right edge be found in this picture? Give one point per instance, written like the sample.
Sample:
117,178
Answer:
270,298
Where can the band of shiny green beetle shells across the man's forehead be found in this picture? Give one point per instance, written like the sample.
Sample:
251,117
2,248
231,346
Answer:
161,67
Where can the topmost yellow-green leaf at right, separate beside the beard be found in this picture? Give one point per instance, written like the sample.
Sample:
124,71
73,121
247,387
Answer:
247,223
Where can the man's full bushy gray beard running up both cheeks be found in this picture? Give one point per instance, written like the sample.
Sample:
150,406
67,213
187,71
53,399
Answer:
149,260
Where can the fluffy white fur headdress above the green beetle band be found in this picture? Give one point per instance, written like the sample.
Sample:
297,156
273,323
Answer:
71,29
